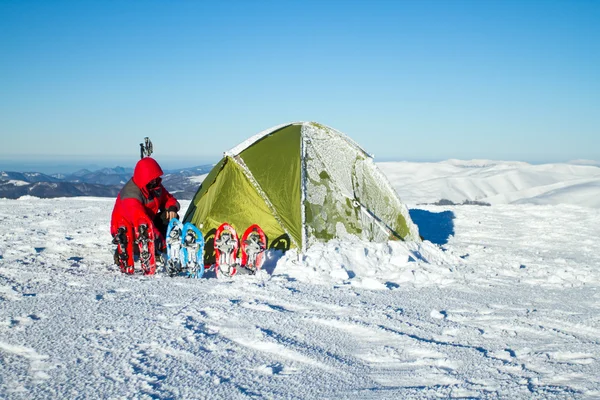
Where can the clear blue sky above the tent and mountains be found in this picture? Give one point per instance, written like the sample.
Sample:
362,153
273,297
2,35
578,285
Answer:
85,81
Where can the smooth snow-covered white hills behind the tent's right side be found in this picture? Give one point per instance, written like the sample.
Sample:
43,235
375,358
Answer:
495,182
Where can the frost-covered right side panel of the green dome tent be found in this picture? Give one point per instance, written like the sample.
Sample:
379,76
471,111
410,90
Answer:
345,194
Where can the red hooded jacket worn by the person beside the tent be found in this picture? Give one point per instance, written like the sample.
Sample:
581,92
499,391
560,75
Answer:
137,204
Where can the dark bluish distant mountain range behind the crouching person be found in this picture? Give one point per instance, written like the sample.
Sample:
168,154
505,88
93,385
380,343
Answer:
106,182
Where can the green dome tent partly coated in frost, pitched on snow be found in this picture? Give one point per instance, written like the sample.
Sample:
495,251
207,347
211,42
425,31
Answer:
301,183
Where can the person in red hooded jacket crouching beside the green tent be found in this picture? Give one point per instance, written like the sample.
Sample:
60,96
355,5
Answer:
144,200
